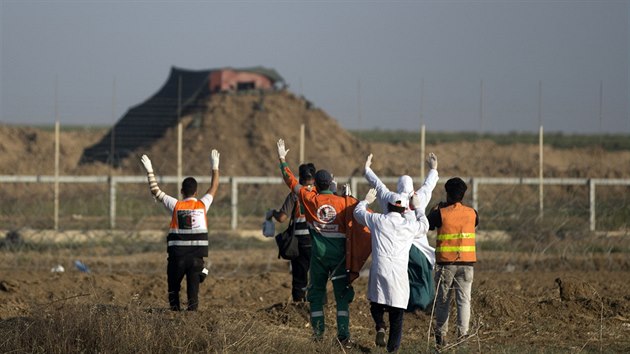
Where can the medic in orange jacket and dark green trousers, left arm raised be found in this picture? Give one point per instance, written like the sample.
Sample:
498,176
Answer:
326,219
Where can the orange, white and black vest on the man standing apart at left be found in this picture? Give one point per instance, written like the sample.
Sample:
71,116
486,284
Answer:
188,232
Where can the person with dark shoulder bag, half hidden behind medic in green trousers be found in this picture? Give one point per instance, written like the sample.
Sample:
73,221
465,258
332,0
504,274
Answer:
300,264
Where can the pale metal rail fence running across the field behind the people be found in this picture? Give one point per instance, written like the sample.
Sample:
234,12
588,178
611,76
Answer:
121,202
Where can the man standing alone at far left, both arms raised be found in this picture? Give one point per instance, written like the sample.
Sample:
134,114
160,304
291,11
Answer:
187,240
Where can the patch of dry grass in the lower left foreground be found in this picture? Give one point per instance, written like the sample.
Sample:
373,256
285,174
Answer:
65,327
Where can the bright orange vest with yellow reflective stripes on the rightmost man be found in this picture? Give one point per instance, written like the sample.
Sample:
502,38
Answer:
456,236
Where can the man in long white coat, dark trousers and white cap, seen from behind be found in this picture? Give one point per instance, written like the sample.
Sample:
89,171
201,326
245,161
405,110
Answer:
392,237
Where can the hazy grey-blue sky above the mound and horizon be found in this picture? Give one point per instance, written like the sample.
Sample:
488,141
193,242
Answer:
483,66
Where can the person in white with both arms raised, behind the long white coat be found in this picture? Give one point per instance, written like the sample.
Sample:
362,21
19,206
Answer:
421,255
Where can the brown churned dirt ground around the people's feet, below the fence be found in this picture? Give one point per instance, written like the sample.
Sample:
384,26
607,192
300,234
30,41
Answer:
518,303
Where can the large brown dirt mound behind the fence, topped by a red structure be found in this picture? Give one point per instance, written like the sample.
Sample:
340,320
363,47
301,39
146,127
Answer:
245,130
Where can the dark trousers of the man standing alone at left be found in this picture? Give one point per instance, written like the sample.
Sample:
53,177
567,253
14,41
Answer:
177,268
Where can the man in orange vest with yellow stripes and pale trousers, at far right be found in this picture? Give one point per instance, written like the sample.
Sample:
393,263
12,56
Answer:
455,254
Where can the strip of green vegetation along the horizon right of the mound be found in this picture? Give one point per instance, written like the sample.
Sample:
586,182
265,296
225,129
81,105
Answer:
608,142
